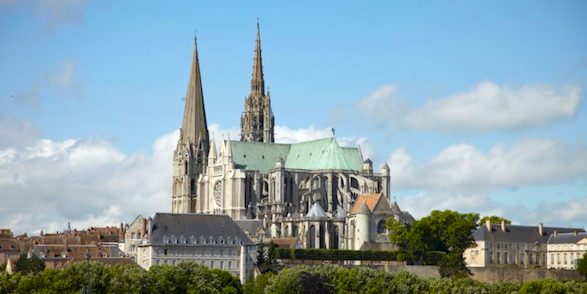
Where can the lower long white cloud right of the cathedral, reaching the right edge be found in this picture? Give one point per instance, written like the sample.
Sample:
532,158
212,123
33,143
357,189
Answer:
463,167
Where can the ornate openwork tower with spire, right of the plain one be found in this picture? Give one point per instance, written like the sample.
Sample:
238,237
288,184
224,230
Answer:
257,121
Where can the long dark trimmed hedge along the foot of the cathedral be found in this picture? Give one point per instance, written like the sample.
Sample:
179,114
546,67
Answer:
333,254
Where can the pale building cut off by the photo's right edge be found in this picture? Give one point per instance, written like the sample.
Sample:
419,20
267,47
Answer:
565,249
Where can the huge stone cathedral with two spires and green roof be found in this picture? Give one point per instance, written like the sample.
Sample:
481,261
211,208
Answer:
324,194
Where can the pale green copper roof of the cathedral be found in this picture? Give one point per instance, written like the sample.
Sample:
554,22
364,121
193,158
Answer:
322,154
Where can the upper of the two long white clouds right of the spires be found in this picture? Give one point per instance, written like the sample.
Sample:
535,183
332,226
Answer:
486,106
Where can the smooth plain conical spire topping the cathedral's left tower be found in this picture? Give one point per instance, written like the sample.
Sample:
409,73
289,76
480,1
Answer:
194,127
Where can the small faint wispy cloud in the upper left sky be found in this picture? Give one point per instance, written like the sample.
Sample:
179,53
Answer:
61,83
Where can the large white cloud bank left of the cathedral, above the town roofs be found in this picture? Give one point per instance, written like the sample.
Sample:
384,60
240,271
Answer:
87,181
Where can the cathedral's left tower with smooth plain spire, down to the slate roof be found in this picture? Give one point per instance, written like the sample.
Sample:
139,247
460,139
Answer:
191,154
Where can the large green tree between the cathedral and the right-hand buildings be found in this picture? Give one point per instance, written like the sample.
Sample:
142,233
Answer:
443,231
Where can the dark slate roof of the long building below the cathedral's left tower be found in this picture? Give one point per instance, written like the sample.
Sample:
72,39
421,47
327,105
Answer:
196,225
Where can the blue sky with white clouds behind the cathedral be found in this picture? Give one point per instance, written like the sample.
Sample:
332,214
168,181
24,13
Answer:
476,106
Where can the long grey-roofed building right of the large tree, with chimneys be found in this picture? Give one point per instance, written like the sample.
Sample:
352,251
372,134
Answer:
511,245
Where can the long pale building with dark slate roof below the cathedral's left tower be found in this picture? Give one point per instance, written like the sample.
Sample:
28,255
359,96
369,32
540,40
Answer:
211,240
